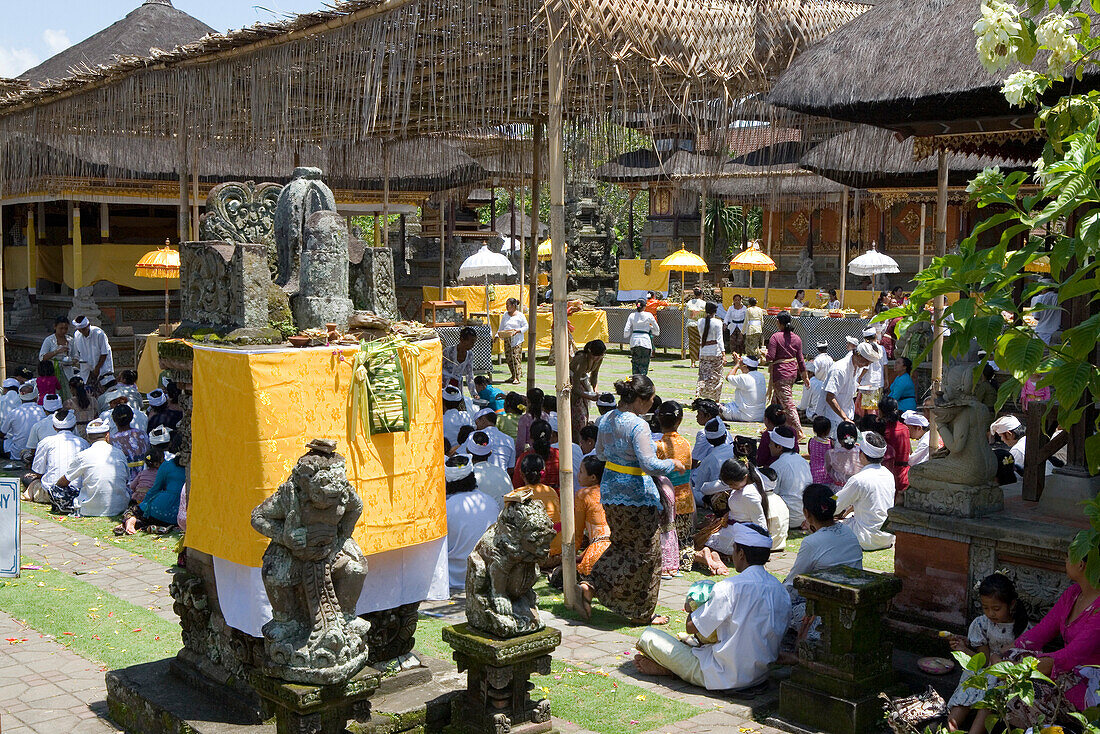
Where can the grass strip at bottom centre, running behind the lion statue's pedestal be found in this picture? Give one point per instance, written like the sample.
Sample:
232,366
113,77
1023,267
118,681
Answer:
587,697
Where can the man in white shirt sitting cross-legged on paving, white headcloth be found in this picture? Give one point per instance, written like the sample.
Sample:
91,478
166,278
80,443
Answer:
749,614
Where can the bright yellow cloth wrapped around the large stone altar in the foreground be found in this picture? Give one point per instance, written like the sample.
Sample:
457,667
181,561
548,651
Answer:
254,415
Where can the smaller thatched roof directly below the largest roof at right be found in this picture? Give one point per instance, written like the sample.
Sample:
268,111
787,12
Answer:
874,158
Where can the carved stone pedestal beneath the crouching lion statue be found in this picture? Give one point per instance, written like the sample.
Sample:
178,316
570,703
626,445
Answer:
499,673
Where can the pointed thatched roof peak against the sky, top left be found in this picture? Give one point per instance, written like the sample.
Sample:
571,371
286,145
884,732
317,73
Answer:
153,25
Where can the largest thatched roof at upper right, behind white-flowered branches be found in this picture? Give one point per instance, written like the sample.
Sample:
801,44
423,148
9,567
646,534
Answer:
904,64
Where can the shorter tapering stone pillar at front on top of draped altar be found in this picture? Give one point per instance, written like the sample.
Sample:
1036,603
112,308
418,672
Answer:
323,278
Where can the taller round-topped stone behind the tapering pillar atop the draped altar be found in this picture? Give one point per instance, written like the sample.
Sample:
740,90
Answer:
305,195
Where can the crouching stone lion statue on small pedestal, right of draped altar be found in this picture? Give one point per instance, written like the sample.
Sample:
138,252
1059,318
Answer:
505,566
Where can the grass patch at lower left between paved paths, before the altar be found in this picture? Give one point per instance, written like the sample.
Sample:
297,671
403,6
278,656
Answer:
91,622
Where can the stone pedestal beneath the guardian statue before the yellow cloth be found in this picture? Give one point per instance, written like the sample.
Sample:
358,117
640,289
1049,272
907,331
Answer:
318,709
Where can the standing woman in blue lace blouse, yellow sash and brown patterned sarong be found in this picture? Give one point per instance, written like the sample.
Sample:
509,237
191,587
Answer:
629,576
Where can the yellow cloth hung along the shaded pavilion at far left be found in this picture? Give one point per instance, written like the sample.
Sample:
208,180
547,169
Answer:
102,262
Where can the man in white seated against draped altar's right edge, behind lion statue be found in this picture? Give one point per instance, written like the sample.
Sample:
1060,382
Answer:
469,514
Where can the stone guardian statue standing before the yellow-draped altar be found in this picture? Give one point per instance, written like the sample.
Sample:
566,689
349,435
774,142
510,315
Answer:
314,573
